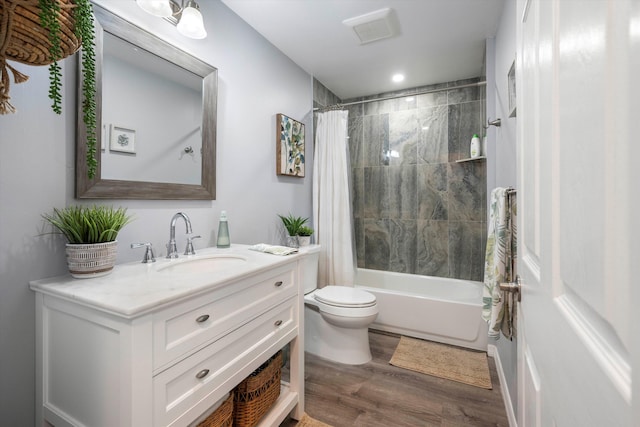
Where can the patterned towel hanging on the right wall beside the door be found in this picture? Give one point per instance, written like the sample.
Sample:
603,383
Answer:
499,308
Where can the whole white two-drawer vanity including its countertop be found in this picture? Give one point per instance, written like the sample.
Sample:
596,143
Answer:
142,348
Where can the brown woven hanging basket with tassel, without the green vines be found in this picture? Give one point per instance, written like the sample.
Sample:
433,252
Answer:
23,39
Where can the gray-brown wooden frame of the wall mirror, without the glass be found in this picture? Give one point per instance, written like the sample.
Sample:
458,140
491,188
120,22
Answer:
98,188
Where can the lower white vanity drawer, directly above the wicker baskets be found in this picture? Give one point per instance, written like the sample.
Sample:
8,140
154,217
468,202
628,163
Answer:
184,391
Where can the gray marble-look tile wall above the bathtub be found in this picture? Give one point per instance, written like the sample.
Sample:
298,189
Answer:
415,209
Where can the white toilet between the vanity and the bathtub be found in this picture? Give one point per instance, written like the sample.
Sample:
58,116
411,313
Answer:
336,318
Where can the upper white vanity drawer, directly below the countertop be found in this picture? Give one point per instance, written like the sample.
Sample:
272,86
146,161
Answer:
183,328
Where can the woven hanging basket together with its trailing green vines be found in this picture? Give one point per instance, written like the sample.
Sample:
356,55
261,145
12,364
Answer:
42,32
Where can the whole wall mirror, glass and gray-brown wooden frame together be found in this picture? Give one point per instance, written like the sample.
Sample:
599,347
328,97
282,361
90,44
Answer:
156,108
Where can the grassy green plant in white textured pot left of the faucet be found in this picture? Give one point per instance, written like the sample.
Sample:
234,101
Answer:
91,232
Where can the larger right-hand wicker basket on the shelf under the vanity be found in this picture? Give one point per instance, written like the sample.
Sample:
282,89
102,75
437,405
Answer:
257,393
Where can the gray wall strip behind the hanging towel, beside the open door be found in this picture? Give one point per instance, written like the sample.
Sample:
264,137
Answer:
501,161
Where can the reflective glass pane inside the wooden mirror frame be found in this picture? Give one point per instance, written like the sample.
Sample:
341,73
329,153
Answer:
136,148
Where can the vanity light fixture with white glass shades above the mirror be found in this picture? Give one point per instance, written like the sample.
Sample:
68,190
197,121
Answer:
185,16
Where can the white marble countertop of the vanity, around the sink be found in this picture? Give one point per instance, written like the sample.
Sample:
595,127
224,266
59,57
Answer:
134,289
